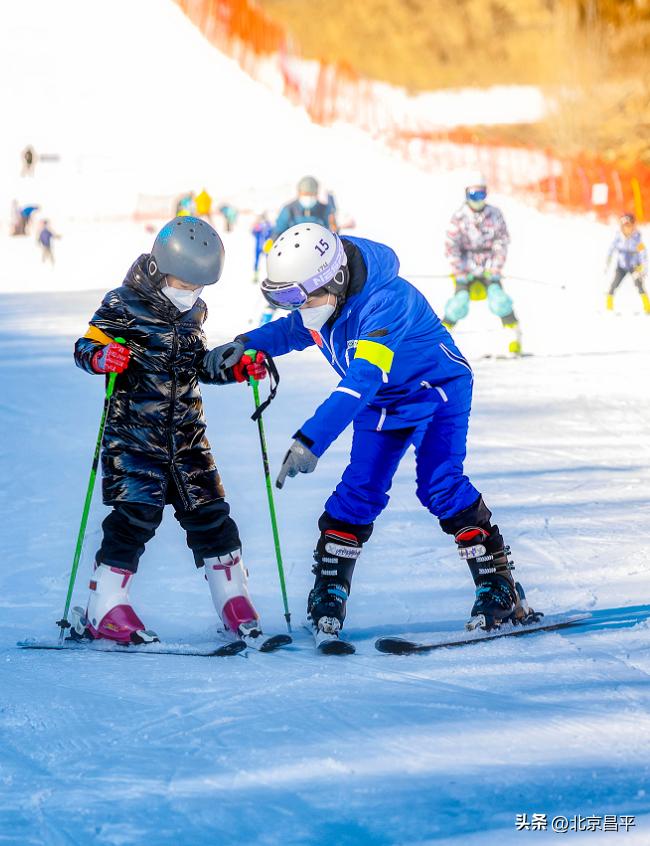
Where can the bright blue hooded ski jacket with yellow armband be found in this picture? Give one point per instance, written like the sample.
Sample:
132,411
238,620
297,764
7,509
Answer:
396,360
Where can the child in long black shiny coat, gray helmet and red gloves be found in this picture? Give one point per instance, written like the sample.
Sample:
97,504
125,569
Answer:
155,450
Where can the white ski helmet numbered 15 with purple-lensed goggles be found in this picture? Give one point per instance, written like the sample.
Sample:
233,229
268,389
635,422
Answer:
303,259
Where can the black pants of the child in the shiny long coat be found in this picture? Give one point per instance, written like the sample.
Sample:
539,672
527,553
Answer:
210,531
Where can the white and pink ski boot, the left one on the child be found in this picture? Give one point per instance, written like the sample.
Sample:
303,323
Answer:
109,614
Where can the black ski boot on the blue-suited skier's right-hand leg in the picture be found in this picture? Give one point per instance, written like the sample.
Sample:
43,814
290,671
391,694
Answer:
497,597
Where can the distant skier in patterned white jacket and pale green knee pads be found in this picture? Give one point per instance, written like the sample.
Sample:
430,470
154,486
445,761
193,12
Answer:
477,247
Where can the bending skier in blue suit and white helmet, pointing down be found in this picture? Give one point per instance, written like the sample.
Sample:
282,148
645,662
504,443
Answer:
402,382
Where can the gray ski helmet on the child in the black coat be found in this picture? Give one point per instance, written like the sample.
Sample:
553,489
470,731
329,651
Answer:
188,248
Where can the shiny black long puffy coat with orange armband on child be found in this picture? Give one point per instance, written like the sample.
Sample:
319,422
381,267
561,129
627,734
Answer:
155,430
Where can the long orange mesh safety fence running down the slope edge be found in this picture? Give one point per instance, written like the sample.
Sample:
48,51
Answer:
336,93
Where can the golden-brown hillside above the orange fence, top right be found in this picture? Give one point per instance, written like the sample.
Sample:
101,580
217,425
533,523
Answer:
593,56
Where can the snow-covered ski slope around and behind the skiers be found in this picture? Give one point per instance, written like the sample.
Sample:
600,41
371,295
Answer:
292,748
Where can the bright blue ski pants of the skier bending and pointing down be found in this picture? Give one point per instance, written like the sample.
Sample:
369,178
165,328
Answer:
440,448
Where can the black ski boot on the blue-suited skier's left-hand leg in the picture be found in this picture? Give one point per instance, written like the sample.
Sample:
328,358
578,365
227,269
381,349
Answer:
334,557
